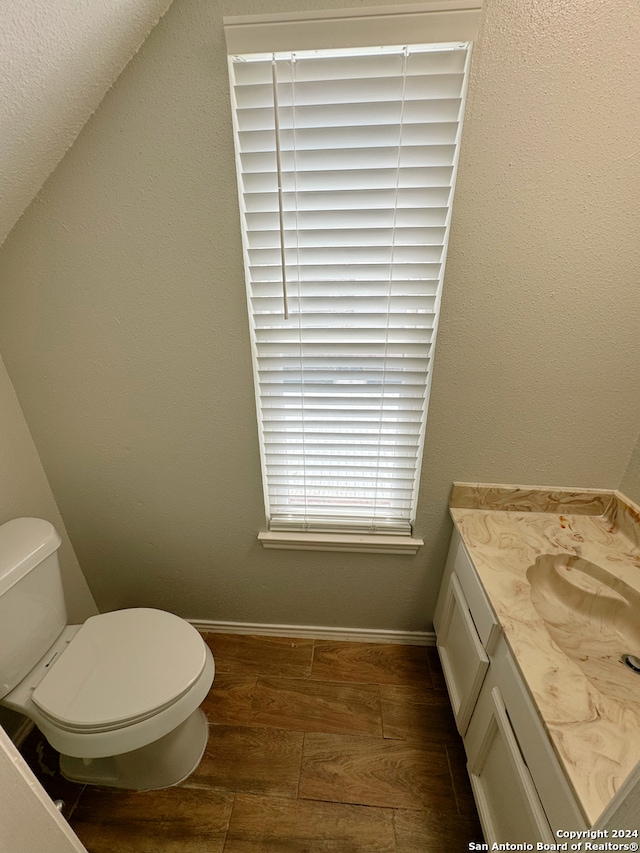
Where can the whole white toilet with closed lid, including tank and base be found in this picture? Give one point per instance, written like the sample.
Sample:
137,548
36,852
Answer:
118,696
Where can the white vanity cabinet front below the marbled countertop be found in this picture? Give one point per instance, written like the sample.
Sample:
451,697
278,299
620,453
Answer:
521,792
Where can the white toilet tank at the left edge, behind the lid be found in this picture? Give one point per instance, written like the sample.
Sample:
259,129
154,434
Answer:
32,607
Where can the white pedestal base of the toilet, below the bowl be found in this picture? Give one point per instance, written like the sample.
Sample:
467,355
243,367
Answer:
161,764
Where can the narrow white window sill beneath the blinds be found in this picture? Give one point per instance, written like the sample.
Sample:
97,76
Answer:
357,543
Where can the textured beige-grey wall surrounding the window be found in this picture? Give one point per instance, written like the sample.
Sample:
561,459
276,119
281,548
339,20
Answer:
123,321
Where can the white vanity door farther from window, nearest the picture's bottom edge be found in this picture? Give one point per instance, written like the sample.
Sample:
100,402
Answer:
508,803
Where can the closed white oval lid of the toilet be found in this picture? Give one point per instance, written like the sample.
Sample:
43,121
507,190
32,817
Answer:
121,667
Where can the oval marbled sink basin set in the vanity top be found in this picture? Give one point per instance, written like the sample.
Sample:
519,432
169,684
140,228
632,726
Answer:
593,617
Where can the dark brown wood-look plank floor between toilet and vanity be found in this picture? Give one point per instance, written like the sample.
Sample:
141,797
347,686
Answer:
315,747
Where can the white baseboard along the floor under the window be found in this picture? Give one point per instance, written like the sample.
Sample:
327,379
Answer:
315,632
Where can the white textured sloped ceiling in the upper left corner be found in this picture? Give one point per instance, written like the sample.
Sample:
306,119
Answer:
57,61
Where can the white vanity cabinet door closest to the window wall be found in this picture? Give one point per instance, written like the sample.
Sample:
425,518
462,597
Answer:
464,661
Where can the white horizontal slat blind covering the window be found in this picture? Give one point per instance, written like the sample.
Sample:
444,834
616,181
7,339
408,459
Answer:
346,164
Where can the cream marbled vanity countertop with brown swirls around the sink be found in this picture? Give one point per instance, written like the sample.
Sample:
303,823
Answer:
595,730
